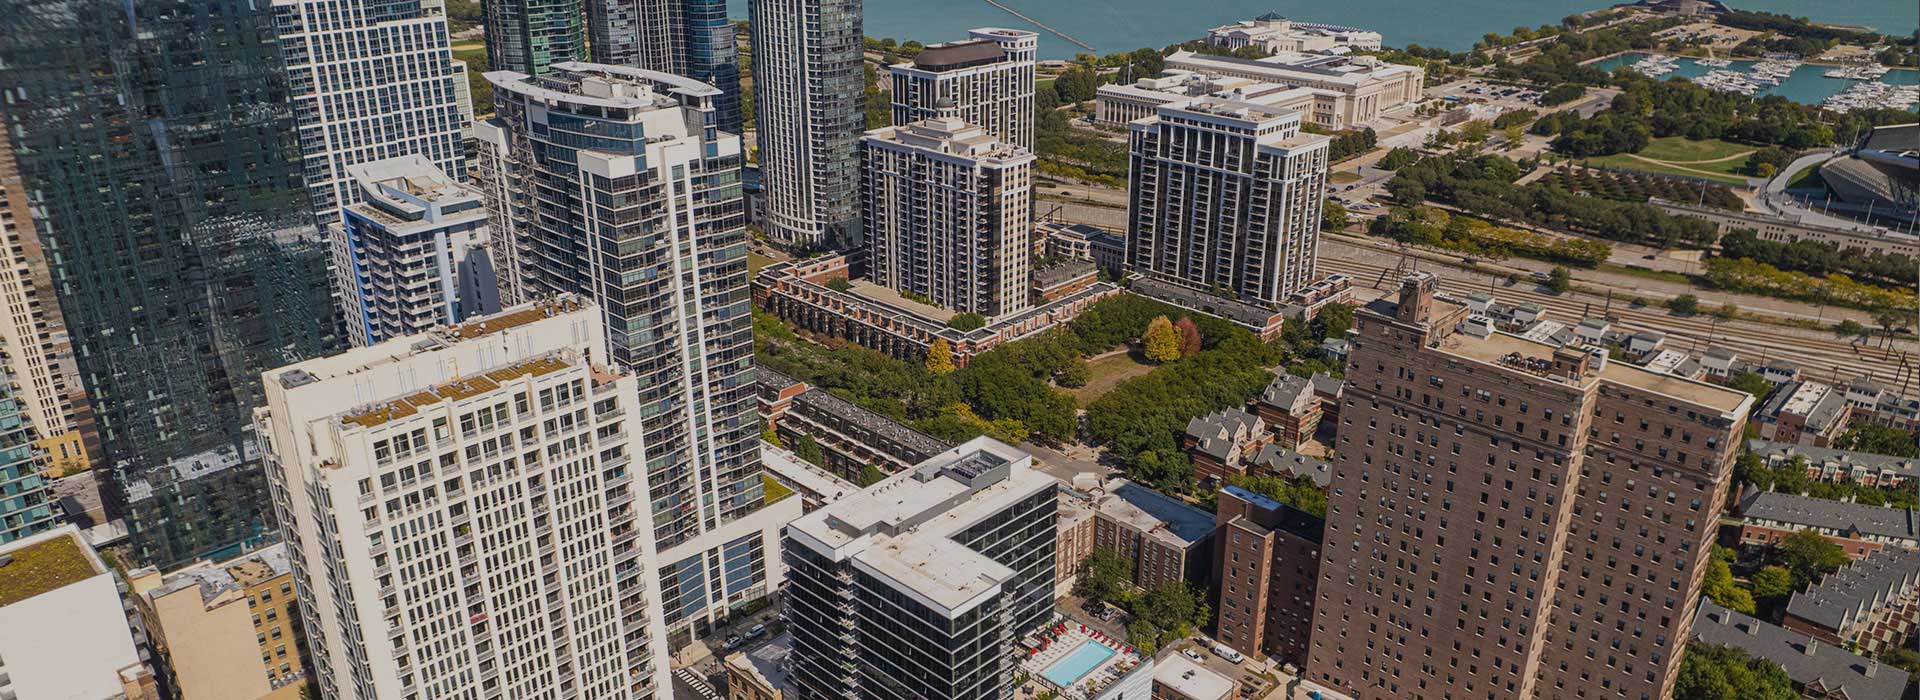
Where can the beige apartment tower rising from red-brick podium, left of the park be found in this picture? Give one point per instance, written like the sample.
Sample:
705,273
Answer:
949,216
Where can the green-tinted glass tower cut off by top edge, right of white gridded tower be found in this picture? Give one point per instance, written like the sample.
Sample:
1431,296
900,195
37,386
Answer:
529,35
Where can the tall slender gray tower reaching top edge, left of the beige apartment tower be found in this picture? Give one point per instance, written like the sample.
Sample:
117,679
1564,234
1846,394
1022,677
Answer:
807,101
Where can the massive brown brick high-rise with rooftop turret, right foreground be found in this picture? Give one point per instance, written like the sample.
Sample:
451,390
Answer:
1510,519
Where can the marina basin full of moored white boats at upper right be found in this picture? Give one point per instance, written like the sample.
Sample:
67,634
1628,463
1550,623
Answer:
1804,83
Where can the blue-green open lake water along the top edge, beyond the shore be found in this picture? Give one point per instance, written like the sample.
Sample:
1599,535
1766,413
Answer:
1122,26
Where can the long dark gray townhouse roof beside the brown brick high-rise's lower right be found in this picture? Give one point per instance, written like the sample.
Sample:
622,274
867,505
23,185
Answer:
1806,661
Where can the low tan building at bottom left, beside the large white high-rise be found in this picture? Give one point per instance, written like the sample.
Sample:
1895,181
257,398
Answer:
212,620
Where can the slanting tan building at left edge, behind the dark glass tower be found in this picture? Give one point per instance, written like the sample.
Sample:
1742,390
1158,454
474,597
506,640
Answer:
34,335
